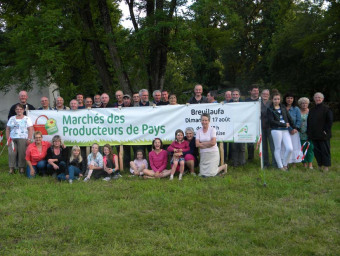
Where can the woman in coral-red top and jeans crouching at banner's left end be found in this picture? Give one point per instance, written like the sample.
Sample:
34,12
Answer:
35,156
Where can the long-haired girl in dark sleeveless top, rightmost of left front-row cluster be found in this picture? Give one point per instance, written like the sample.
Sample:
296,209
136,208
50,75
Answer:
110,160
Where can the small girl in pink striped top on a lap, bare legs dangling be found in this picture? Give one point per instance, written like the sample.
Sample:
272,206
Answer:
179,147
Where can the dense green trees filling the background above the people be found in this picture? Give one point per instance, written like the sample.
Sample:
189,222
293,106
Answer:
80,45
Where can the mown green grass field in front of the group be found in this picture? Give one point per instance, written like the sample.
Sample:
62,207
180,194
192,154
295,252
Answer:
296,214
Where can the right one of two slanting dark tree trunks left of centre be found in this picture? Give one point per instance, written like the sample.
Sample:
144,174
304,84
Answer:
123,78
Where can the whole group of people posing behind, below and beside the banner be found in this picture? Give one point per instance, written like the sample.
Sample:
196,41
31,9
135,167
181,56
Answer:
287,125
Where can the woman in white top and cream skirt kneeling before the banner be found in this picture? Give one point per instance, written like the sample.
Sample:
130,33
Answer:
209,154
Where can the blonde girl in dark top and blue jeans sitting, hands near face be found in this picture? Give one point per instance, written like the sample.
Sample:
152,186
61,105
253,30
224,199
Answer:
76,166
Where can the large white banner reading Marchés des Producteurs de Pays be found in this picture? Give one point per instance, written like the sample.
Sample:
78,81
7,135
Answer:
238,122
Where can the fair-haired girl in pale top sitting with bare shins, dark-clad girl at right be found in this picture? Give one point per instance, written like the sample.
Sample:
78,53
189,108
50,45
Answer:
95,164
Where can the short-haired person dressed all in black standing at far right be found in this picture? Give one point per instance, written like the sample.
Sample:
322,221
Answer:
319,131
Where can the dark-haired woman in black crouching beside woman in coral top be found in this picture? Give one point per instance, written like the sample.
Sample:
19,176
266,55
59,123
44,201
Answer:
56,157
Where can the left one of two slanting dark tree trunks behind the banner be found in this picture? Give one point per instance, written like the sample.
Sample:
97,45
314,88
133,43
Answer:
97,53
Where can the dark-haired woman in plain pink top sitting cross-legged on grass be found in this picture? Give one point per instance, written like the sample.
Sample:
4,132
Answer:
158,159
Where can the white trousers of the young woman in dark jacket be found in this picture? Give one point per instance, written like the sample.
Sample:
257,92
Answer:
282,136
